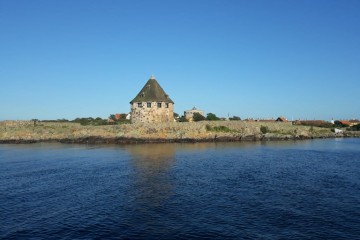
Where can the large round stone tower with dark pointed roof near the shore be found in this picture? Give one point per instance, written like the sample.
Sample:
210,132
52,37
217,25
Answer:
152,104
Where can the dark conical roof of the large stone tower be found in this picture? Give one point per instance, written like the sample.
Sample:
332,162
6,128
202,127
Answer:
152,92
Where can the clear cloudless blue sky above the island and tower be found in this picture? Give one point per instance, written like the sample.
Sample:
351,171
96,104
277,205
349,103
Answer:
260,59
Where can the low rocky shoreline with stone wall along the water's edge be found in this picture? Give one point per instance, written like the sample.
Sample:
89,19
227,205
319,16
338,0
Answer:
18,132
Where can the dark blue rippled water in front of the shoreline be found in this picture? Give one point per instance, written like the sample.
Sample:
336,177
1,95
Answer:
287,190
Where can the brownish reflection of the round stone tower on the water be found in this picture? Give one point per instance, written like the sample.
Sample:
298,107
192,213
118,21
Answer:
152,182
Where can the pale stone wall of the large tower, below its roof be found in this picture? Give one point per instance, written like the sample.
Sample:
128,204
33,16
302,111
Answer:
142,112
